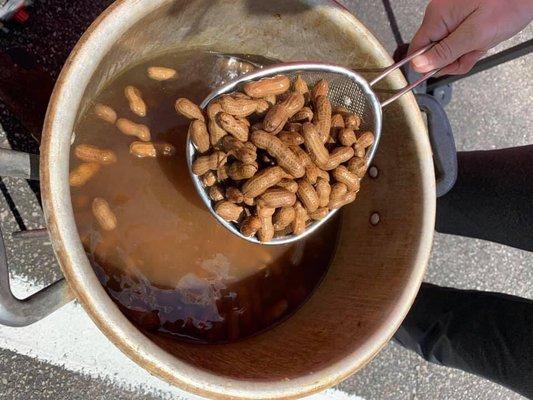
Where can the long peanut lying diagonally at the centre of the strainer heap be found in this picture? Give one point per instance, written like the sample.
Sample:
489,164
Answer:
280,151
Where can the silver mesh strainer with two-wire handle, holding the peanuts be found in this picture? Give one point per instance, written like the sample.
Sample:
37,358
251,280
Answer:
346,88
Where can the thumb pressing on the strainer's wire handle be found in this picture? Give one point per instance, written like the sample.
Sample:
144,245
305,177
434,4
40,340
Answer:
448,50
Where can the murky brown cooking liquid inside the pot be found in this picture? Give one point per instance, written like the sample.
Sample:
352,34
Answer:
169,265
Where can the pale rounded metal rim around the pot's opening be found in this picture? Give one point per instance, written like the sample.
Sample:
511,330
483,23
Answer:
82,280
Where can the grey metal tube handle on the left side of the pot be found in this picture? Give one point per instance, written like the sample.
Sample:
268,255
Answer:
13,311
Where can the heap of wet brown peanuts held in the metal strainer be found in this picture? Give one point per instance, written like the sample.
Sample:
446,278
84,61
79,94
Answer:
278,156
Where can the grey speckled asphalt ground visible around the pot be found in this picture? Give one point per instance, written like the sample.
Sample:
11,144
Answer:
489,110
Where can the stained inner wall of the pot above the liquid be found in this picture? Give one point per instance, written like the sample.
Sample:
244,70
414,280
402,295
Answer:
365,289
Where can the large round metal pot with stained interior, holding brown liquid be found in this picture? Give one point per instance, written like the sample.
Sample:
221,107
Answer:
385,238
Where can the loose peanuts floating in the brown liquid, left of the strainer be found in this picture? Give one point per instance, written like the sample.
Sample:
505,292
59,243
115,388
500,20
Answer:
93,158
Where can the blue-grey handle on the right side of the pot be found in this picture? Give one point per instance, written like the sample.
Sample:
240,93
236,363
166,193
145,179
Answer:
442,142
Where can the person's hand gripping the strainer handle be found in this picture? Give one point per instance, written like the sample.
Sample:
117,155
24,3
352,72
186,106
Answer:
464,30
